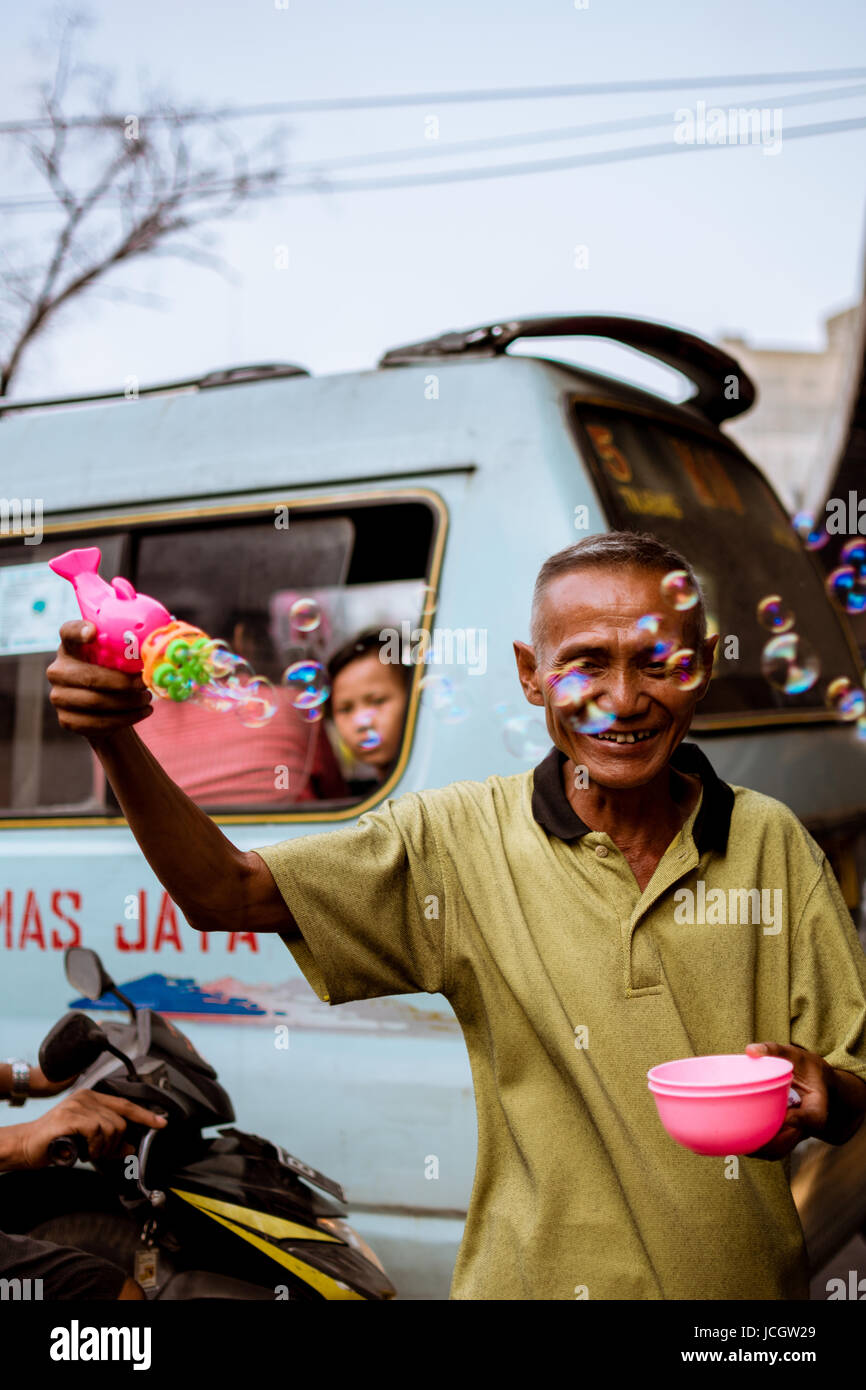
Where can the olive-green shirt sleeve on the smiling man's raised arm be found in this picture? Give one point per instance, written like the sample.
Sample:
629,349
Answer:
369,903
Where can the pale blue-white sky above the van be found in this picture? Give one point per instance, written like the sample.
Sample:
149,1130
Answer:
715,238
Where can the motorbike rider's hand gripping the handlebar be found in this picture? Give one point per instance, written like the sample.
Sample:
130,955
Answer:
99,1120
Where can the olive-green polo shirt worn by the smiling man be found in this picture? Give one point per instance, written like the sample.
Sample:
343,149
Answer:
569,985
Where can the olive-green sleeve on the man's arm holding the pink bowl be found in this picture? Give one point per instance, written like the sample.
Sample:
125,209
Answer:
829,979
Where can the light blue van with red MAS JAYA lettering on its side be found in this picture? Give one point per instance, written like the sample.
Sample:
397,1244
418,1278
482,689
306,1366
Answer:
423,494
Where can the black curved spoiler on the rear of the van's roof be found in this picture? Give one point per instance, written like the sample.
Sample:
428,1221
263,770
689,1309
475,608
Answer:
708,368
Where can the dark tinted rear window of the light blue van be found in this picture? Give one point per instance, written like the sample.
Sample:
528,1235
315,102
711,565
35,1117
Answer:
715,508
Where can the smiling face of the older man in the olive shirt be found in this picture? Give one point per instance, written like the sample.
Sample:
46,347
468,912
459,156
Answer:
589,635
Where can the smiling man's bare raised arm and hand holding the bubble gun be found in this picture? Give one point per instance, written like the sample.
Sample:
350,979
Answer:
216,886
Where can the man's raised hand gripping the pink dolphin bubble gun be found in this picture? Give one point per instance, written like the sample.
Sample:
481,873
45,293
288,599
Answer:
94,701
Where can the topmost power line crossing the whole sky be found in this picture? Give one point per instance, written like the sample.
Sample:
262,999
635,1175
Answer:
372,104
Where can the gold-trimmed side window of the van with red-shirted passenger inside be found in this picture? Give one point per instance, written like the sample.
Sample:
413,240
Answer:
362,566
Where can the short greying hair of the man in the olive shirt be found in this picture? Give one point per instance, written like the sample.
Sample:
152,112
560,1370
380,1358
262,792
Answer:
612,551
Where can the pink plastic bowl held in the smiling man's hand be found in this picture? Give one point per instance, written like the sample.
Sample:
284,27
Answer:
725,1104
